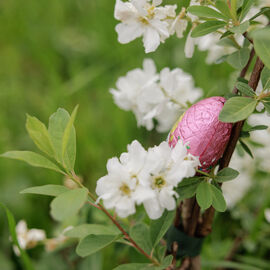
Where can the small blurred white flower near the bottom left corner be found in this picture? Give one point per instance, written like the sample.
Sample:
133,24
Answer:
27,238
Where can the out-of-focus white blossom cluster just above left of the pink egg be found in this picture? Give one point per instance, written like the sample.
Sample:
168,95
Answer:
150,95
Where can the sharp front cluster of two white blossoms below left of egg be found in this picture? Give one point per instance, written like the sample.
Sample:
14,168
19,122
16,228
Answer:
145,177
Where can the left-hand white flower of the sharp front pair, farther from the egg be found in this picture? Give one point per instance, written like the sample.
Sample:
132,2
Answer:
120,188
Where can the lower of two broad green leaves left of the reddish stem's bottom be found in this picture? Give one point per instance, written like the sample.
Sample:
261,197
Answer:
93,243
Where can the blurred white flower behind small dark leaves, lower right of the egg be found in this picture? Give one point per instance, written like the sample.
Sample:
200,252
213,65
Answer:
236,189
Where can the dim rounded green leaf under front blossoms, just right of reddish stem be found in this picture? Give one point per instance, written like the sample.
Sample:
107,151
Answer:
141,234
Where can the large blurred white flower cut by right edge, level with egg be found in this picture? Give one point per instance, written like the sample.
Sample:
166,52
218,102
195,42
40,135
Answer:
262,137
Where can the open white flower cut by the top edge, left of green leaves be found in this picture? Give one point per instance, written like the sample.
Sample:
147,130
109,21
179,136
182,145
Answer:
140,18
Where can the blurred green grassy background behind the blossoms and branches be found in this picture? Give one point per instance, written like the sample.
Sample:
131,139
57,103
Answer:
62,53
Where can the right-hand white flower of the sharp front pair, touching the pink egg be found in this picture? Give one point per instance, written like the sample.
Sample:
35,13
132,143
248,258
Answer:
164,169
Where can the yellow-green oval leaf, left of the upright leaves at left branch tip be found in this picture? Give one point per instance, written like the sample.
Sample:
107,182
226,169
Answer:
39,134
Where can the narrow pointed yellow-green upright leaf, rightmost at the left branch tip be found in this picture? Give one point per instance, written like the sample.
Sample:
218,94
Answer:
66,137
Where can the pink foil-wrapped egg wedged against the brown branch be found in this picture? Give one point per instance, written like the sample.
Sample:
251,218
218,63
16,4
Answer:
205,135
